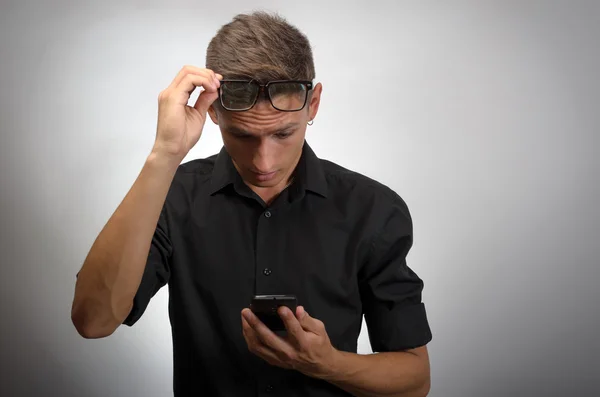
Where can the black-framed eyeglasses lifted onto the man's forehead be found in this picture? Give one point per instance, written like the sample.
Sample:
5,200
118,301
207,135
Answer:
284,95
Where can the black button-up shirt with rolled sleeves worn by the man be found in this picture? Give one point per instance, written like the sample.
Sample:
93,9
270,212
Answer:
334,238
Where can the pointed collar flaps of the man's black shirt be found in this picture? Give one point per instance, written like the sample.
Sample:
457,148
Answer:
308,175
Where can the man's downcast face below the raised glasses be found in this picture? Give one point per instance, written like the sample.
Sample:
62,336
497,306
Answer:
264,143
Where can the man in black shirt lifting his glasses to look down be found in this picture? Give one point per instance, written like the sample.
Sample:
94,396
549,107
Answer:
264,216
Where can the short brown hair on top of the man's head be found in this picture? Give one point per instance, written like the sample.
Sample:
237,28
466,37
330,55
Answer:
260,46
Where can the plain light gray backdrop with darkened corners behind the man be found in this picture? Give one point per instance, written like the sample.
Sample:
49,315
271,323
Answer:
483,116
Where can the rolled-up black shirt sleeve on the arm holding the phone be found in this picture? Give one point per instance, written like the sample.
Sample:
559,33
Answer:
390,291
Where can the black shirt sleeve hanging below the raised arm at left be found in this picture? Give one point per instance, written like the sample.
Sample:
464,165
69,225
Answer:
156,273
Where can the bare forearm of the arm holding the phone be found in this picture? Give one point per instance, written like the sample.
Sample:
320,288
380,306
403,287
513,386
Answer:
390,374
